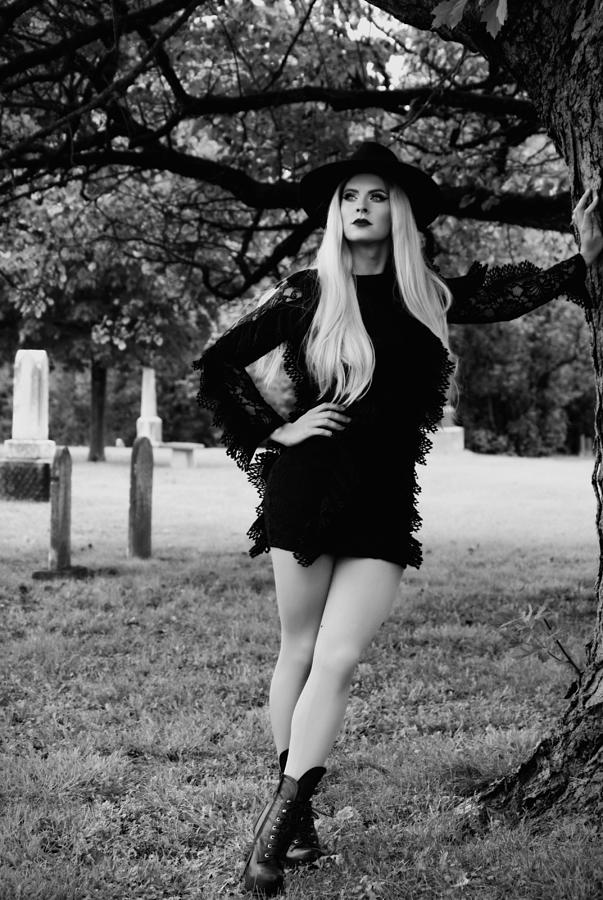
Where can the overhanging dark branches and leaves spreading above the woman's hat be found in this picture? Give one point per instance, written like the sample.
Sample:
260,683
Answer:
242,97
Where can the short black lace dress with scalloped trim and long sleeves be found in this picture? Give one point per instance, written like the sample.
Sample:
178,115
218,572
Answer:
354,493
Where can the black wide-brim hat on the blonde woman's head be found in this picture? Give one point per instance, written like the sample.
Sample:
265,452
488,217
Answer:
317,187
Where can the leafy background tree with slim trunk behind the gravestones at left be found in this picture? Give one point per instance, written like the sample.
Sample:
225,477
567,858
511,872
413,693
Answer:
93,308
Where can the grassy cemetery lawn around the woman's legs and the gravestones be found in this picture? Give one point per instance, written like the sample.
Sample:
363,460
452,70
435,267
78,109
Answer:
135,740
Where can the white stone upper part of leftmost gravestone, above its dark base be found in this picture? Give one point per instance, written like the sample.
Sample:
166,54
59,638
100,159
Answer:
30,408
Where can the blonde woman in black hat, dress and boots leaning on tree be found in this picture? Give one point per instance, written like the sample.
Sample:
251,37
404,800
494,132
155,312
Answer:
365,342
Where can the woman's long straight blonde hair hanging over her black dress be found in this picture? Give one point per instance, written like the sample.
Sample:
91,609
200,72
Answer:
339,353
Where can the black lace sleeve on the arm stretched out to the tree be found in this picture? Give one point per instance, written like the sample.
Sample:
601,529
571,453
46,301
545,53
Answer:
500,293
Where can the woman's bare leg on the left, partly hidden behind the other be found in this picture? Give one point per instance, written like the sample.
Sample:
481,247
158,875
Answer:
301,593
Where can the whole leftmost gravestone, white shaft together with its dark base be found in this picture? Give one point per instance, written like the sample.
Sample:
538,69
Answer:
25,472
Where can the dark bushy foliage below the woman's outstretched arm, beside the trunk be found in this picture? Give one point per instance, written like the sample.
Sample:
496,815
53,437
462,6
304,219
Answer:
526,384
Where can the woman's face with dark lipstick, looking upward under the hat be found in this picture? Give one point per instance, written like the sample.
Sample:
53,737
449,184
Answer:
365,209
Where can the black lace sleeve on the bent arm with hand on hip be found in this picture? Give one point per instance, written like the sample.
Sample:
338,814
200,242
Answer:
226,388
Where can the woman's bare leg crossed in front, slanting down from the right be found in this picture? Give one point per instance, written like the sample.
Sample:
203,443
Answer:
360,598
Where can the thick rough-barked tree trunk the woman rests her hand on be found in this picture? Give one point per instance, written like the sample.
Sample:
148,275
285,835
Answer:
553,50
